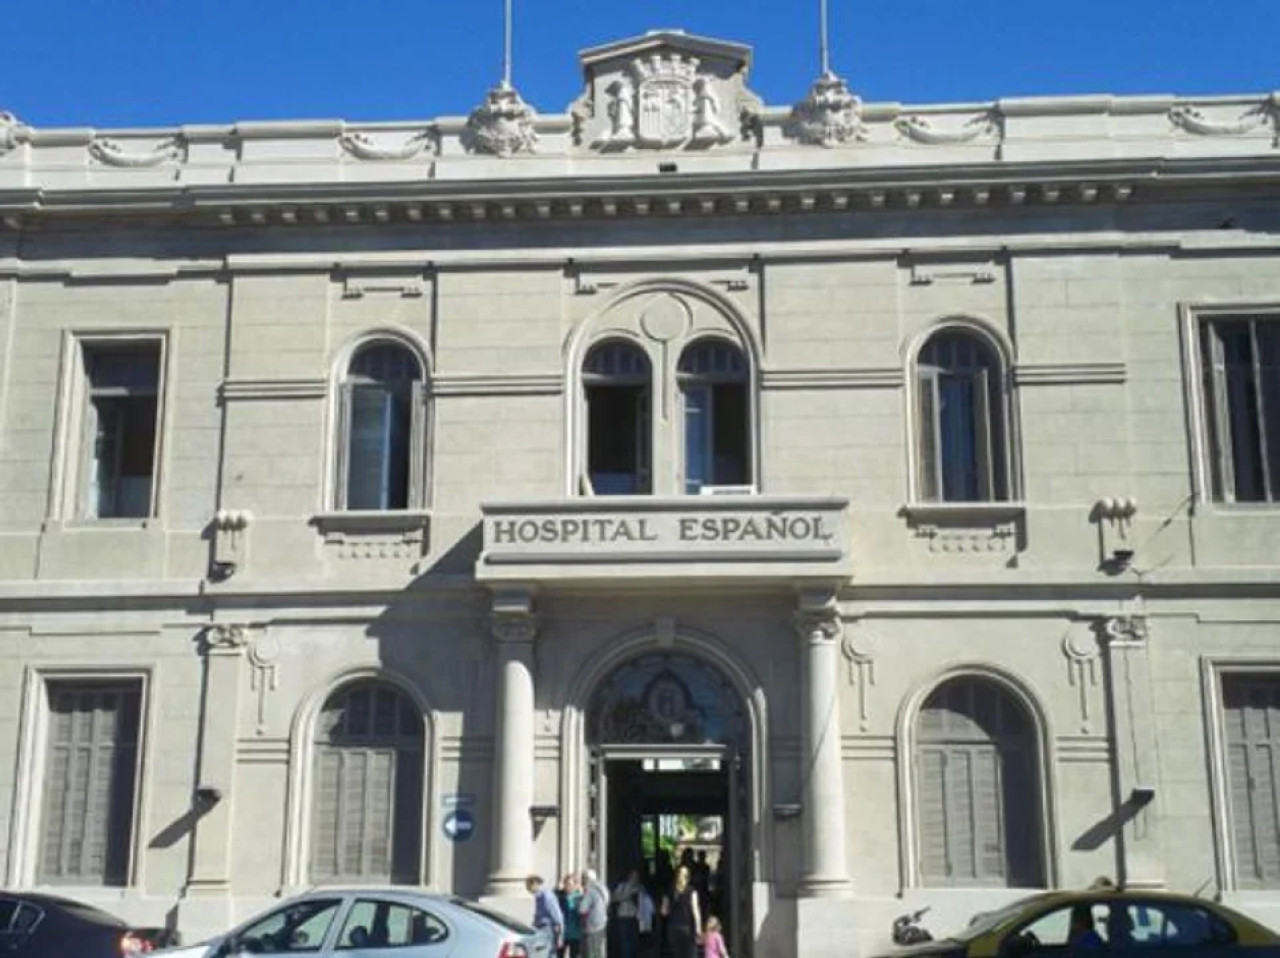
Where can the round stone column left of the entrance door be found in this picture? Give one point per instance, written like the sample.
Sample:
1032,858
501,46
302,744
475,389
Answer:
514,627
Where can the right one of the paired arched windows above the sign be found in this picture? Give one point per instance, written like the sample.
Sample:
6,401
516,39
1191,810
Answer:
714,385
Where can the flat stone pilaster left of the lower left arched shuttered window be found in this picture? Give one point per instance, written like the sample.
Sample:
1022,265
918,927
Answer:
211,814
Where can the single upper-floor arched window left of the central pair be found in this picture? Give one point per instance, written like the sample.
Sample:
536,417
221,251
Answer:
383,430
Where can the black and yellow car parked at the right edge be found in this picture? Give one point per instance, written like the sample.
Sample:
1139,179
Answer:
1110,919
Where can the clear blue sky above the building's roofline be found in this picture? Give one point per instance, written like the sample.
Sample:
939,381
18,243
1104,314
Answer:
166,62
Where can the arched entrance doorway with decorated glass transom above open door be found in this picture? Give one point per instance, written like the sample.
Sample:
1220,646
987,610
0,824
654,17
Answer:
670,746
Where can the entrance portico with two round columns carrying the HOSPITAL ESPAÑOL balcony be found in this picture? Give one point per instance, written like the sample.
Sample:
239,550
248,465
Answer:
661,688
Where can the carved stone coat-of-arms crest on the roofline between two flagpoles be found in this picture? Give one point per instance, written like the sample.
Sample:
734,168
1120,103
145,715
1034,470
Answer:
665,92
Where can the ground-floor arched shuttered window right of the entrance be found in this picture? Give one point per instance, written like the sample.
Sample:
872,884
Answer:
979,788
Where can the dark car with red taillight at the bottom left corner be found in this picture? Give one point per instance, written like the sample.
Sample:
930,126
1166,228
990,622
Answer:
47,927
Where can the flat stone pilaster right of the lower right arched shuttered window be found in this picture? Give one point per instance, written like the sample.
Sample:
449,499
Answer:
1136,742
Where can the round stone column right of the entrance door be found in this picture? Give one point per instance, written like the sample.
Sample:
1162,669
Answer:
825,872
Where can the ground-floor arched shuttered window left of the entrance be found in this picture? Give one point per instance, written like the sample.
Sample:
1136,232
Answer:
367,813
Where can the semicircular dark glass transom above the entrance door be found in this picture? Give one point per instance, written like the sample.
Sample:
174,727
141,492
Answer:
666,700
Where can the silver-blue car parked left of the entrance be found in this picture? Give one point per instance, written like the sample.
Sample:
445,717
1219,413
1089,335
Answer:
351,921
